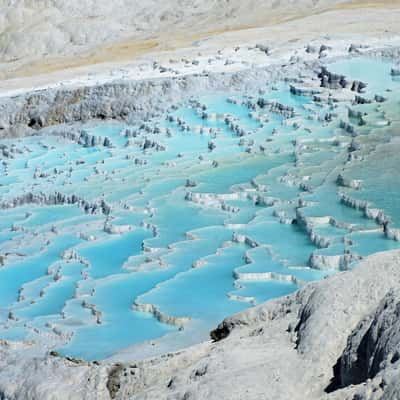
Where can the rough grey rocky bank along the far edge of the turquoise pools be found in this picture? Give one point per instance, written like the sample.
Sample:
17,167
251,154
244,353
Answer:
123,100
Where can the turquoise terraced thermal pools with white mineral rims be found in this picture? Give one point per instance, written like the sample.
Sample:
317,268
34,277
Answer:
173,223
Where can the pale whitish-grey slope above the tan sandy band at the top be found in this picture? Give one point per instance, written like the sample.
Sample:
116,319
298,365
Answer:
36,28
